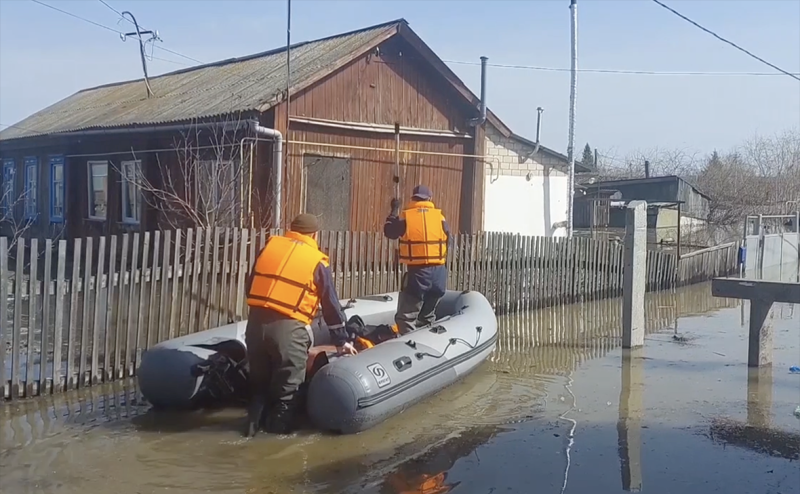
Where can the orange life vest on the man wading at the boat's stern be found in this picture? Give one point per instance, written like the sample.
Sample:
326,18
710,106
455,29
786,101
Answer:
283,278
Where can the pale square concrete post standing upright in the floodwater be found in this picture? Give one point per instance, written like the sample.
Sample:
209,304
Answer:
634,275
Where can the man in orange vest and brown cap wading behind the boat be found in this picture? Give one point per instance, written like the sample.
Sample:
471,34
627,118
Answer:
290,279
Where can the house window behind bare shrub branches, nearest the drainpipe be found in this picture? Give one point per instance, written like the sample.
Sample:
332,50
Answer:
217,192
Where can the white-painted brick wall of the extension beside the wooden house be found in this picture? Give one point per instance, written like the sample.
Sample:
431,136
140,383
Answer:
525,195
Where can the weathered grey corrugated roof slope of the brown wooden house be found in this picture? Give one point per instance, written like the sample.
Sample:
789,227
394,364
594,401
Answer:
252,83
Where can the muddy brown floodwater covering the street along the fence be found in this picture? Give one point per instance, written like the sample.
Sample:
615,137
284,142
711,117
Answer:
558,408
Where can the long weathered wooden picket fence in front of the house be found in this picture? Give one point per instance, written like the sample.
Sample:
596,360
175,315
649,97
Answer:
77,313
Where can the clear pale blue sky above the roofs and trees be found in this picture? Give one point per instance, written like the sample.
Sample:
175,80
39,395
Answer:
46,56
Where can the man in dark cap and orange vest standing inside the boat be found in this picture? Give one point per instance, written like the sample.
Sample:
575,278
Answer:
424,237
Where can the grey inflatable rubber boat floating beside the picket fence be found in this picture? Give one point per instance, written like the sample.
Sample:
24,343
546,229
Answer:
344,394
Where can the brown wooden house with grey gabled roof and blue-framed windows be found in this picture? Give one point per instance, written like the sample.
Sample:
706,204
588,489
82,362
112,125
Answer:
199,149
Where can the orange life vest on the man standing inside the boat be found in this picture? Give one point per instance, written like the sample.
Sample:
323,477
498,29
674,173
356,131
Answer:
424,242
